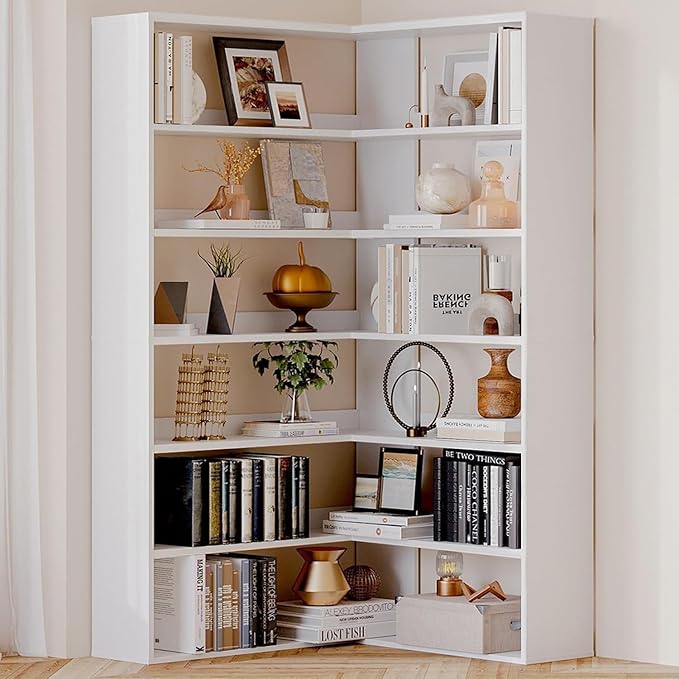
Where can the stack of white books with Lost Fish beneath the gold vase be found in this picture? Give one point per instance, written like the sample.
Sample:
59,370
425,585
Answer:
347,621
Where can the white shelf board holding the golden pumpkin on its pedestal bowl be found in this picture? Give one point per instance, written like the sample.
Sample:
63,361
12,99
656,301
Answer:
247,338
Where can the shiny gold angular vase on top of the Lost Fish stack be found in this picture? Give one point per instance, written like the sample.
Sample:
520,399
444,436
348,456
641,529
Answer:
321,581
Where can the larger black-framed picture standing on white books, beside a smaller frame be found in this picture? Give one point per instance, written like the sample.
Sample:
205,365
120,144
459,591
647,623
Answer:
400,479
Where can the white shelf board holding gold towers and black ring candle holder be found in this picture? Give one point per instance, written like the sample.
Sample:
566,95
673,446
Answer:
238,441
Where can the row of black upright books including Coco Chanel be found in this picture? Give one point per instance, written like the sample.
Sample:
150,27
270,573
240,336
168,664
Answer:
477,498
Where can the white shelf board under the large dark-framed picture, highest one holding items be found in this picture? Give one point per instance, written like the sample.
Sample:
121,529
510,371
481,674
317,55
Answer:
311,134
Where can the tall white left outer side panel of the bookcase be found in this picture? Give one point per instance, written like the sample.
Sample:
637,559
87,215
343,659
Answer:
121,322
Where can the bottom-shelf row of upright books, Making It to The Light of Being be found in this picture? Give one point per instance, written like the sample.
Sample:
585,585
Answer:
214,603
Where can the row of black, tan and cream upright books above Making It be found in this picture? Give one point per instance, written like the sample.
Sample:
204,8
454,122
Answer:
231,500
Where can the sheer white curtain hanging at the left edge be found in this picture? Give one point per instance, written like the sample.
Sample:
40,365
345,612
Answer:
22,627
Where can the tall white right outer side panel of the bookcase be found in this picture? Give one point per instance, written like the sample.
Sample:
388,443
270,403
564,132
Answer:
557,304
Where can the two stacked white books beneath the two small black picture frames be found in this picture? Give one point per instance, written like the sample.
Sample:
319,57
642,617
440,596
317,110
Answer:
379,525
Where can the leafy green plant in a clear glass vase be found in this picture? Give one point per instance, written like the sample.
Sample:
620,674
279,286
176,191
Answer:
297,366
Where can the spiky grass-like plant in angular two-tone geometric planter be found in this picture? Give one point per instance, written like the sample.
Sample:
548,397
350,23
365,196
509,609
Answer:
225,288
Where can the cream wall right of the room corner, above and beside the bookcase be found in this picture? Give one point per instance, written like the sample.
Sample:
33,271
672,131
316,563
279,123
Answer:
637,466
